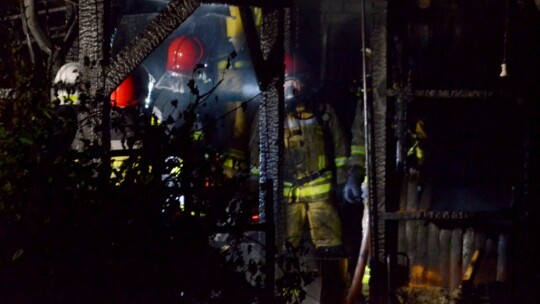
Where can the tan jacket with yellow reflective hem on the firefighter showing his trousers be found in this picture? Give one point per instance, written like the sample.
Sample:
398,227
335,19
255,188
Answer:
305,154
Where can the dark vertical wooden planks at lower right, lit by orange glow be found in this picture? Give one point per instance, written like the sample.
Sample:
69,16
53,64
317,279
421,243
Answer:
437,253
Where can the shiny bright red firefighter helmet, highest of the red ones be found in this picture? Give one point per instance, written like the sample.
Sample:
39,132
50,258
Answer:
185,52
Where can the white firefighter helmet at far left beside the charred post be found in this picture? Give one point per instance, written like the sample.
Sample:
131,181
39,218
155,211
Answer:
66,84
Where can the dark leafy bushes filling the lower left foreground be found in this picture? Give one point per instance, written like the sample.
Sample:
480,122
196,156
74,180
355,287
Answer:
76,226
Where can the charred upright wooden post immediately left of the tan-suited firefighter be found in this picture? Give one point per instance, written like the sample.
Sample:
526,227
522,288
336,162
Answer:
267,56
